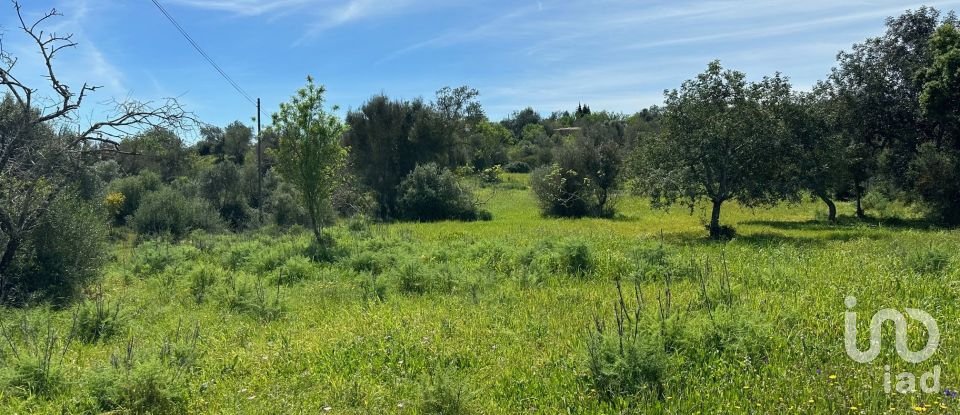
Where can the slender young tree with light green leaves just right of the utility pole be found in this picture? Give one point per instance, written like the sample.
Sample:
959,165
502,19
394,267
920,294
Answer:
310,154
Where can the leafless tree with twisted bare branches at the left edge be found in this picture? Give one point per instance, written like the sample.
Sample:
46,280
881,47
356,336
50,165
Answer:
42,138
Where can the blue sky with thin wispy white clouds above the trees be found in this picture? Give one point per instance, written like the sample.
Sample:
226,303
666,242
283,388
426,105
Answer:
612,54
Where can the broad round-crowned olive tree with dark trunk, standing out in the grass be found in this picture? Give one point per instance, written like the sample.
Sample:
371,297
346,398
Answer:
720,141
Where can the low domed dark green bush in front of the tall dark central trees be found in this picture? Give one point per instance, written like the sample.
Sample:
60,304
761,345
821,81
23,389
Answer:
431,193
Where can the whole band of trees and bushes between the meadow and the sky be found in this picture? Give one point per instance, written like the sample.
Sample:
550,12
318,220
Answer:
885,120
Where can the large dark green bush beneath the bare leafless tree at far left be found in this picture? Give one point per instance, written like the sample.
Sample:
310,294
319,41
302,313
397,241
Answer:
60,255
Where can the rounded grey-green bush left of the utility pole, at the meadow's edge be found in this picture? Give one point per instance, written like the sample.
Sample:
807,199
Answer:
167,211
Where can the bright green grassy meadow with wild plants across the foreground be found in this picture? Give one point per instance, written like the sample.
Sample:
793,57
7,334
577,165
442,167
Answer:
498,317
